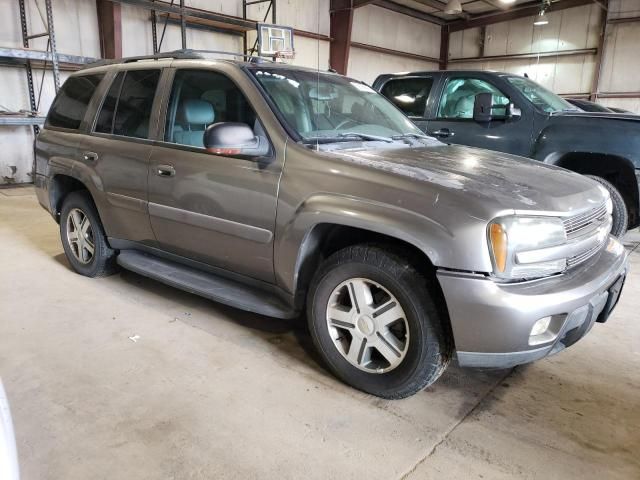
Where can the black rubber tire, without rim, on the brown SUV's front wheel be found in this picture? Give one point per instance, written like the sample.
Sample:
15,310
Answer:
420,366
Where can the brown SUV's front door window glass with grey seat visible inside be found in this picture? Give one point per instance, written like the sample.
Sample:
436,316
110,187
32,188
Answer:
200,98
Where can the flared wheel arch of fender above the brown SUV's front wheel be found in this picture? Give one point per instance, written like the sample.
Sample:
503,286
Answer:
294,242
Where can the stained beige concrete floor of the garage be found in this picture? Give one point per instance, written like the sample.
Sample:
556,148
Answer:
207,392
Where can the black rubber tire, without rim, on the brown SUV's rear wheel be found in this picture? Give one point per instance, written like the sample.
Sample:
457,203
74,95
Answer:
102,252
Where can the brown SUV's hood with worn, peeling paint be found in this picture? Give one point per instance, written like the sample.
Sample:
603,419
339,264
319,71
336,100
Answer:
506,181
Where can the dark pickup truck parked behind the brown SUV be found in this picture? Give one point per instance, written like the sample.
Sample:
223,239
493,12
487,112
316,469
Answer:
513,114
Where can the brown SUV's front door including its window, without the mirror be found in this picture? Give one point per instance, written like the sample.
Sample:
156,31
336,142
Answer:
217,209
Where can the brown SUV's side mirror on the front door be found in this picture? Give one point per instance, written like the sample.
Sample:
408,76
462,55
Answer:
231,138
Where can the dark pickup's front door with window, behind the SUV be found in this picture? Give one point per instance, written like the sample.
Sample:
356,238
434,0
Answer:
452,120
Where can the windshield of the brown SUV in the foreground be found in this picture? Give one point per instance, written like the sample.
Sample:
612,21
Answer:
328,107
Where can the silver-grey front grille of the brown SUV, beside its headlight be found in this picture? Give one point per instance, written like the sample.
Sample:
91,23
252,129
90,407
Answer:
583,226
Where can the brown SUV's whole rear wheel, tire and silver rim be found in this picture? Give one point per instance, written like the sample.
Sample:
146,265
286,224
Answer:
83,238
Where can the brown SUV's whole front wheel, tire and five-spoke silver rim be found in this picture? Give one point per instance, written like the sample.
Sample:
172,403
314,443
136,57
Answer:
375,324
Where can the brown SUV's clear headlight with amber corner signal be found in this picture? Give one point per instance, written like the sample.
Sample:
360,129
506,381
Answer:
521,247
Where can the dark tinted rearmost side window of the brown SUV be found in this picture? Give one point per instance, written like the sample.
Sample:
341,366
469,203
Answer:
71,103
